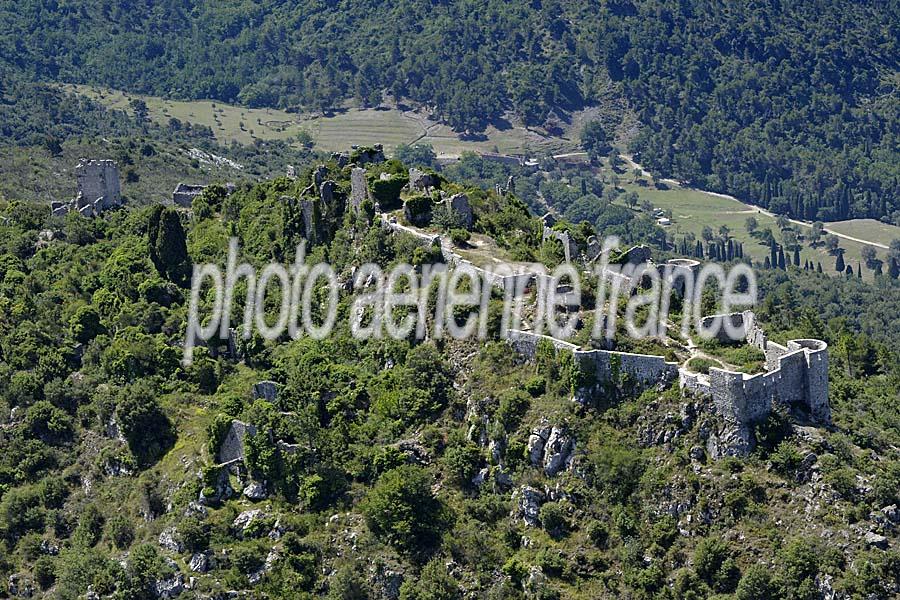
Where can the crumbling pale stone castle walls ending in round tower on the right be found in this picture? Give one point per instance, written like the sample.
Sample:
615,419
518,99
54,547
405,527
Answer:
795,376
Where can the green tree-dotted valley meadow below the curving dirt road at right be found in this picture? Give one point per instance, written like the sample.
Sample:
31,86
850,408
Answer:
692,210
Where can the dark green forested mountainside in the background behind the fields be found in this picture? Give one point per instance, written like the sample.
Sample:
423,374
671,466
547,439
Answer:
789,104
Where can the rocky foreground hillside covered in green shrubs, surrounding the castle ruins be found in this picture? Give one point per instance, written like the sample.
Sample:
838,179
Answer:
393,469
